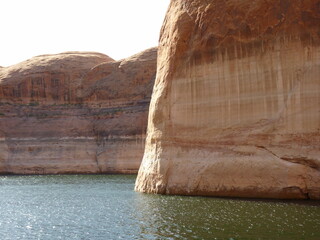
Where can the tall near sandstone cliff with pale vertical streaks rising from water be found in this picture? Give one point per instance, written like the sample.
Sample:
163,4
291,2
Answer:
235,109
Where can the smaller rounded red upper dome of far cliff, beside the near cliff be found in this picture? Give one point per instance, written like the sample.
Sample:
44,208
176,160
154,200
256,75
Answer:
102,82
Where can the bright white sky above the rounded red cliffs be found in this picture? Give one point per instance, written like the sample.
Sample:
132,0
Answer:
118,28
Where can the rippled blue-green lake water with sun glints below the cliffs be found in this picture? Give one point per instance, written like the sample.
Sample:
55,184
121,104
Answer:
106,207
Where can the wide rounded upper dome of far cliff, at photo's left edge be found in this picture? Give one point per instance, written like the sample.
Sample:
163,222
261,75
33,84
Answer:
48,78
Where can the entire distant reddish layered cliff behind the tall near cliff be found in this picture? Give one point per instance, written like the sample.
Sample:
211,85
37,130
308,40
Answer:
81,120
